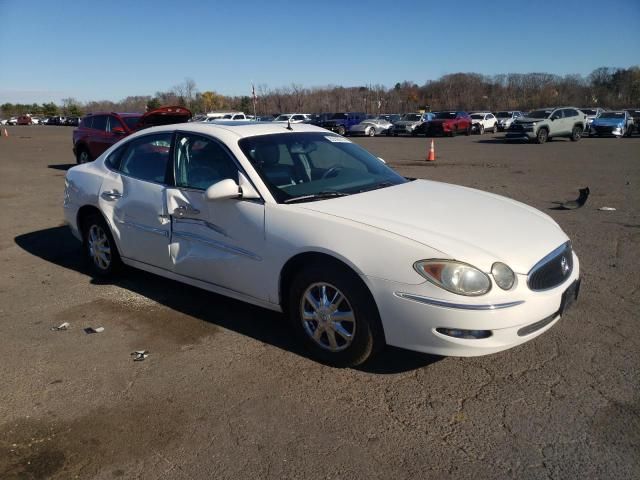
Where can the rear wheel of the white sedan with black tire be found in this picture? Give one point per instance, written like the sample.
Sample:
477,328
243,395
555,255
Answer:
93,227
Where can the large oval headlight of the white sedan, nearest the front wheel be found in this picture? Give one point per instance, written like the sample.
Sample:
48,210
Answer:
455,277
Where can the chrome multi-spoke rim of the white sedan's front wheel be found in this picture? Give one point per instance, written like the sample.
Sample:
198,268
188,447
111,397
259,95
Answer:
327,317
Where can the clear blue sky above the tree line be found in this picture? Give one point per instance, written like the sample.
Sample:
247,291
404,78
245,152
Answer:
108,50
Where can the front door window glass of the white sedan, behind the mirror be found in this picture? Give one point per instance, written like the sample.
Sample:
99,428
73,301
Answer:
201,162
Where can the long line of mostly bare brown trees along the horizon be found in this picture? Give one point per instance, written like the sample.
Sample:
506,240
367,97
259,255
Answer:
606,87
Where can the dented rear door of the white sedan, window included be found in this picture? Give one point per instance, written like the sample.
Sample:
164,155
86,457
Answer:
133,197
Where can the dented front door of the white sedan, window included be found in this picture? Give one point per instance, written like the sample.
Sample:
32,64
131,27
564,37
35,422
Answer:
220,241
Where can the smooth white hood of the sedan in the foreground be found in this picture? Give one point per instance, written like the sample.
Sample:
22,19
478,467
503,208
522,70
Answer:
463,223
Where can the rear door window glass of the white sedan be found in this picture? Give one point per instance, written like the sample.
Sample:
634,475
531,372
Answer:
146,158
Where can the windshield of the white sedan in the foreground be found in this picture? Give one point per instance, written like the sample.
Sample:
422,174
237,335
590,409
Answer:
313,163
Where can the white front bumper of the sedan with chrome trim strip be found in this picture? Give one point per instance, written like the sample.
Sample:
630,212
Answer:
410,316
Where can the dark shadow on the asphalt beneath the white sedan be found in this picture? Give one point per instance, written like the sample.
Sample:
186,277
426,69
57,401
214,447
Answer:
57,245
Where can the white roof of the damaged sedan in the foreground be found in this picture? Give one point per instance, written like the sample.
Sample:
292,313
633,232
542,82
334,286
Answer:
239,129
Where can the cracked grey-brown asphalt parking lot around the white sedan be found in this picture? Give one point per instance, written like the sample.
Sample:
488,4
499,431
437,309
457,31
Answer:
226,393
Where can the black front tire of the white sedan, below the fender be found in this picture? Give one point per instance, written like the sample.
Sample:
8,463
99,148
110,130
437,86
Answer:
368,336
